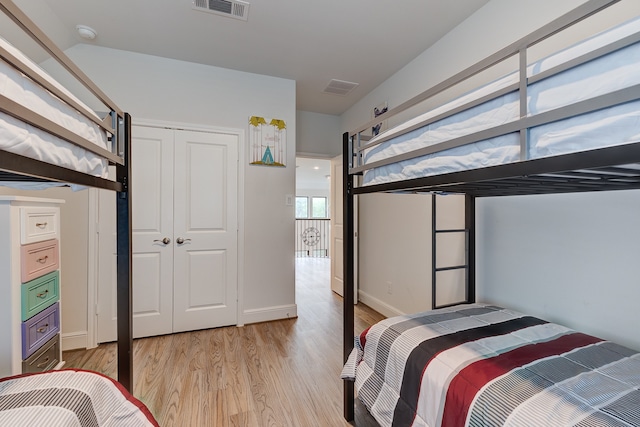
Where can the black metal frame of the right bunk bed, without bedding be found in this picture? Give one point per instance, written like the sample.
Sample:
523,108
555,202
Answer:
604,169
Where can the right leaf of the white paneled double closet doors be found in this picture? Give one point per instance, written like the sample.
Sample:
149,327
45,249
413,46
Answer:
205,230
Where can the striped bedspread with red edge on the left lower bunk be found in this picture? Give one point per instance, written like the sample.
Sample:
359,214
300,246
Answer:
69,398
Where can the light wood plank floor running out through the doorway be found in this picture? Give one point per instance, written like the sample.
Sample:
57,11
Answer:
281,373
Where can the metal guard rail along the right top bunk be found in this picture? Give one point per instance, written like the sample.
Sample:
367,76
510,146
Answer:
358,138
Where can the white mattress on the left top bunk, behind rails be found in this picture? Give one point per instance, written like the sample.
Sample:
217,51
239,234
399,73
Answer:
20,138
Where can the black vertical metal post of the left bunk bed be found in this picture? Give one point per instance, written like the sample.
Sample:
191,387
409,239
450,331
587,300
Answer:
124,264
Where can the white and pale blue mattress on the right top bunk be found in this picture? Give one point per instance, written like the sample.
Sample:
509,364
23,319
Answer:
614,126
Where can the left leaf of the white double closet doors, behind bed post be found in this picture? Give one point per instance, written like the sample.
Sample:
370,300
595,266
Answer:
152,211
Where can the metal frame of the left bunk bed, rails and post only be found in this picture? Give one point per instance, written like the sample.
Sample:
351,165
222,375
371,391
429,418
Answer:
14,167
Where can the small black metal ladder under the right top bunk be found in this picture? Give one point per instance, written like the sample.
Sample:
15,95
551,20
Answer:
469,256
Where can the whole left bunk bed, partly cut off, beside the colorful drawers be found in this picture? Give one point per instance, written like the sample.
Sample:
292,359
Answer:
49,137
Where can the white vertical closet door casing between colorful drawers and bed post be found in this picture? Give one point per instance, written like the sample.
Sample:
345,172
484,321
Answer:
92,270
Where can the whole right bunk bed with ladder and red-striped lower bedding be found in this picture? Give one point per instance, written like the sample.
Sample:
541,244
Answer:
546,128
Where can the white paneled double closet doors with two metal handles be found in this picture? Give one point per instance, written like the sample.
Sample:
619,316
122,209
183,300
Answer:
185,257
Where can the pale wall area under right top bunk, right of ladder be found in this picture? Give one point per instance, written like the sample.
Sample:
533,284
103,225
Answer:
567,258
